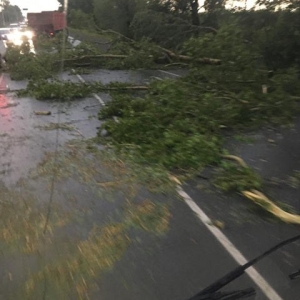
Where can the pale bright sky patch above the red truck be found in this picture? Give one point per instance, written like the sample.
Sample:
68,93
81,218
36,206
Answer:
36,5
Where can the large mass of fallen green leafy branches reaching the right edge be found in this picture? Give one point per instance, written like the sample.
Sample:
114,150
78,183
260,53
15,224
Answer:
180,123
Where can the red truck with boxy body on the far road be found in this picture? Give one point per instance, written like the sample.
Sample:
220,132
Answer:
49,22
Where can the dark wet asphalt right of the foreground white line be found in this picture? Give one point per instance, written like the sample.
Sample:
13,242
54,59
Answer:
274,154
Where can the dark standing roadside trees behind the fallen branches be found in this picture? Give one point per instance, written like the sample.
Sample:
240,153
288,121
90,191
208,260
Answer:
273,26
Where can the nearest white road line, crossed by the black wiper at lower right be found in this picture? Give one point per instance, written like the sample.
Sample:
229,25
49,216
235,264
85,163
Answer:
269,292
